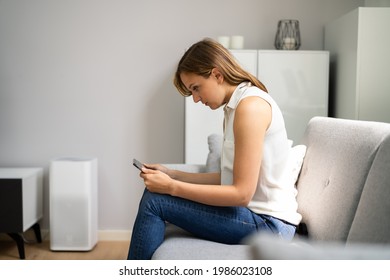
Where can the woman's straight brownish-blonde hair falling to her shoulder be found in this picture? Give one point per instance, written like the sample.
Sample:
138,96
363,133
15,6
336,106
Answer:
202,57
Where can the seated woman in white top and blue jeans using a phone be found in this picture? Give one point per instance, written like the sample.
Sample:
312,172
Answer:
252,192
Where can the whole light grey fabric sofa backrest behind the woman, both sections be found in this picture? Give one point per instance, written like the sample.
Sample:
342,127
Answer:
344,186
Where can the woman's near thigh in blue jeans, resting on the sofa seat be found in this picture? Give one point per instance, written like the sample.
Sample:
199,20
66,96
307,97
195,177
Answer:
222,224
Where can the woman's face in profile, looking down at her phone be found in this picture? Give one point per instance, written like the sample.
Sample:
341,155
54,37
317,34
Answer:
209,90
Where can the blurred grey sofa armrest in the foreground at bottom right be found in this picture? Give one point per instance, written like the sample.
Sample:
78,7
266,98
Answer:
271,247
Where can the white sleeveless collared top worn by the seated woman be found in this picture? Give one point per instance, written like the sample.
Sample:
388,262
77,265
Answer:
275,194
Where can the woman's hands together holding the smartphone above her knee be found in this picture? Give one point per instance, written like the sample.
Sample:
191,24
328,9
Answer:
156,178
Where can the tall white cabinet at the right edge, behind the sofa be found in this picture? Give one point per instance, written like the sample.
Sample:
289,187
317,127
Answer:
359,55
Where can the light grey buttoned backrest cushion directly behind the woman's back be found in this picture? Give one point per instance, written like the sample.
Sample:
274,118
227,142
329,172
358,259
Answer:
338,160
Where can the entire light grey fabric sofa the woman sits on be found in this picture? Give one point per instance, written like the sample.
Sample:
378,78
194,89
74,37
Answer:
343,196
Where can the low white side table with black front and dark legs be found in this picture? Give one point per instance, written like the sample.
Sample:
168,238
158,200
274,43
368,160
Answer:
21,203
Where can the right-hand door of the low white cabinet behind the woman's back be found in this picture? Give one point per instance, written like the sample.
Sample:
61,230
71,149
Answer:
298,82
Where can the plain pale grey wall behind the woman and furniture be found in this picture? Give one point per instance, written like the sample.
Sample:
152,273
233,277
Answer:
93,78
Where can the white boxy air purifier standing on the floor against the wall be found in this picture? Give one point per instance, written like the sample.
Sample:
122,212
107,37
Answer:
73,204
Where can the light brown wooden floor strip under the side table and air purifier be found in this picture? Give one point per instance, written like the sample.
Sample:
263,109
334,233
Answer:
104,250
